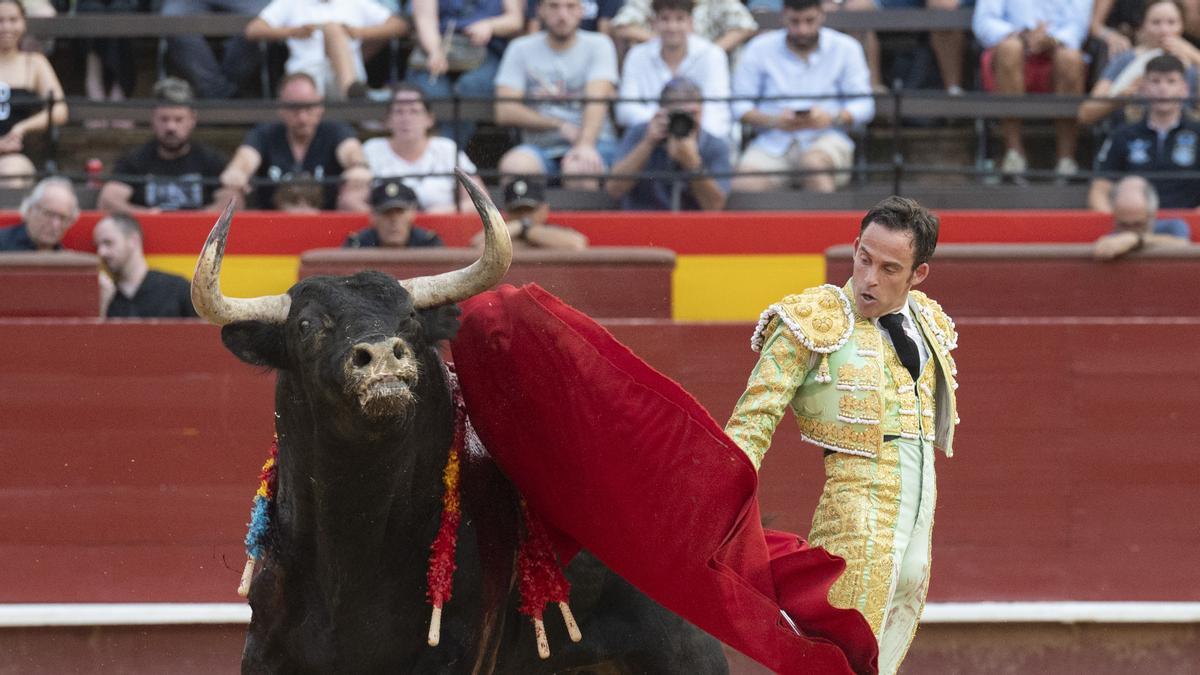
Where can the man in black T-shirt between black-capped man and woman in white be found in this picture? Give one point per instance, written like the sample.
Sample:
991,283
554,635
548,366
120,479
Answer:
302,142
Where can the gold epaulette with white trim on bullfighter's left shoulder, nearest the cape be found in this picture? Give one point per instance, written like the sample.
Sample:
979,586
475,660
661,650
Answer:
821,319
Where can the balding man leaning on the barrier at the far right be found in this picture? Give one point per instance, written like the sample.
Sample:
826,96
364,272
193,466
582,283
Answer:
1136,225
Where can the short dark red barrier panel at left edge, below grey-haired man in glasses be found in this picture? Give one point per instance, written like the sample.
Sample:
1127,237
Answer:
59,284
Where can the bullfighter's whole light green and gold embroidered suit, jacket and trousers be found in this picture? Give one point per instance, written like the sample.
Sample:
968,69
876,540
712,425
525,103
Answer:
849,391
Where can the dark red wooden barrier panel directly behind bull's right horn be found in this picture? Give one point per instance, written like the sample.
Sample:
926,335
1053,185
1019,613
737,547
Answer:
603,282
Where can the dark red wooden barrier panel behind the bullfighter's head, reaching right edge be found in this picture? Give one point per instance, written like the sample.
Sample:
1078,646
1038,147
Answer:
1051,280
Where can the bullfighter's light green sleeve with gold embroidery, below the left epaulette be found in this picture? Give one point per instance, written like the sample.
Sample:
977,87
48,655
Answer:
783,365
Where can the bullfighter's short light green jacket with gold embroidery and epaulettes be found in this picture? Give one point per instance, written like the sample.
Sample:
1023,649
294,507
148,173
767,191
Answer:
830,366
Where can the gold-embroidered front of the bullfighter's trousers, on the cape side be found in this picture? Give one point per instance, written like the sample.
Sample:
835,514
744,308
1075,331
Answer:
856,521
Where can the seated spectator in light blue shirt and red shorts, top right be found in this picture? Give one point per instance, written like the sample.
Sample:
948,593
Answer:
1034,46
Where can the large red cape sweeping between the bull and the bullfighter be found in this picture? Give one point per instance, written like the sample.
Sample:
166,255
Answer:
620,459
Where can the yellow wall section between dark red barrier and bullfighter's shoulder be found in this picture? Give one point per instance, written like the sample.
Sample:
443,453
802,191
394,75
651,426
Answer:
740,288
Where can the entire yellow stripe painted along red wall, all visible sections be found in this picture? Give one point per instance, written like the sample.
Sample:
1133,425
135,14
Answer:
706,288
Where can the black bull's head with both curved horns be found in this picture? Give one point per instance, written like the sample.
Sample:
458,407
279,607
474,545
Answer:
355,341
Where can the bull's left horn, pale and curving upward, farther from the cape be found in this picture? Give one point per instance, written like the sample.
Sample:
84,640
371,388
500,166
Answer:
207,297
